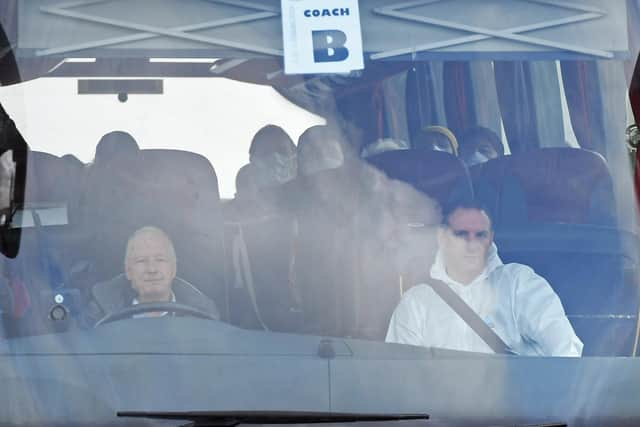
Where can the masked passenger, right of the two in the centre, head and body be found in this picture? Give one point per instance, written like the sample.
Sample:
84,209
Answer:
326,207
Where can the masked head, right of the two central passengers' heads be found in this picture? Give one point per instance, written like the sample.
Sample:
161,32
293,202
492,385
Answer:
319,149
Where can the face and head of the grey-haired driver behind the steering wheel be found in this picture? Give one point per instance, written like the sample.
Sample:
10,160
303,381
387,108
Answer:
150,267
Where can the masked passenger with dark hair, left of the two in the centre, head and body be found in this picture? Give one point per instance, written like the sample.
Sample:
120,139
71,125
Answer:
265,232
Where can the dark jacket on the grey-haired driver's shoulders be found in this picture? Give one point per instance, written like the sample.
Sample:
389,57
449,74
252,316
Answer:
116,294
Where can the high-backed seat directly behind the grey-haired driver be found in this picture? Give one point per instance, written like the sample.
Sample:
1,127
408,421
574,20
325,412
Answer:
174,190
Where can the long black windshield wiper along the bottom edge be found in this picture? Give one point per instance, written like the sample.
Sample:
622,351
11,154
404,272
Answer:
234,418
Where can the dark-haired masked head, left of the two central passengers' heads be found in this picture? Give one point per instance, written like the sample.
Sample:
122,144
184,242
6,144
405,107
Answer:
273,154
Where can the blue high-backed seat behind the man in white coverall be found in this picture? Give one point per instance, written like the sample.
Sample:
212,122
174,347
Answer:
553,210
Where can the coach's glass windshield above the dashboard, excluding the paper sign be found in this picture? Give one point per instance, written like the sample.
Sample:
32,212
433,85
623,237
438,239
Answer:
323,204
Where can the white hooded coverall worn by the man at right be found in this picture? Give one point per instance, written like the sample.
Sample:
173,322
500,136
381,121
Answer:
512,299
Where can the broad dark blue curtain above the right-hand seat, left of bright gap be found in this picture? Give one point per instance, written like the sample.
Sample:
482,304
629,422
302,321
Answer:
530,103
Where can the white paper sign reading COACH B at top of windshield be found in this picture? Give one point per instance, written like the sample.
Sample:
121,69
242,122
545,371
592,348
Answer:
321,36
